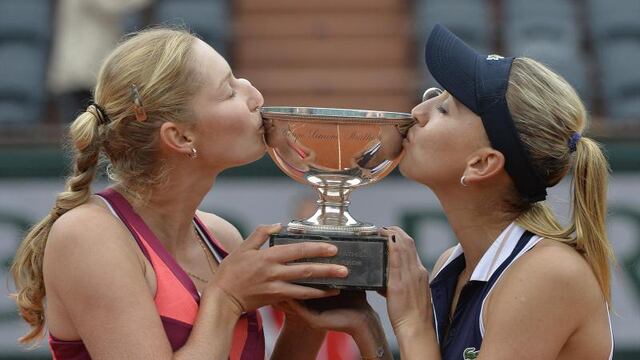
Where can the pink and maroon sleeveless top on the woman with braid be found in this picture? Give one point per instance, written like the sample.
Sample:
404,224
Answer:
176,296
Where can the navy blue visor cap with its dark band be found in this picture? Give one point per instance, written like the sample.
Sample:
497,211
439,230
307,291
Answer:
480,83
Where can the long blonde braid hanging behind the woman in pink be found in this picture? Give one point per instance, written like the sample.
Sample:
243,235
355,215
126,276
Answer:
27,265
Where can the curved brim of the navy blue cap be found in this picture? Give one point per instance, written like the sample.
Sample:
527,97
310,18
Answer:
453,64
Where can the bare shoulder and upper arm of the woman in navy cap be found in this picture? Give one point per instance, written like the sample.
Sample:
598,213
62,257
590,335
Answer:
539,303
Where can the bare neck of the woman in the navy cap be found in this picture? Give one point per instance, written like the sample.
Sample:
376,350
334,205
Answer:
476,224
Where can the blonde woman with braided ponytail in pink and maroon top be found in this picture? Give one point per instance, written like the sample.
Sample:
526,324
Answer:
136,271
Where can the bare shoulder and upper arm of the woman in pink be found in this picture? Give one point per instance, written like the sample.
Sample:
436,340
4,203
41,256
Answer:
94,271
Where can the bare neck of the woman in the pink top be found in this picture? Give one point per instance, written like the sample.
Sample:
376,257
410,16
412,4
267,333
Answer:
170,207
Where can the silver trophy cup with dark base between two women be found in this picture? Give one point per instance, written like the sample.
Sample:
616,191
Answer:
336,151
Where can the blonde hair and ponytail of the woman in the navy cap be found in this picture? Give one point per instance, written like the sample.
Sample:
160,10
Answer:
548,113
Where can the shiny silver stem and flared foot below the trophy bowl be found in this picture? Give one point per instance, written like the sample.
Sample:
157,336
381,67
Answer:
333,215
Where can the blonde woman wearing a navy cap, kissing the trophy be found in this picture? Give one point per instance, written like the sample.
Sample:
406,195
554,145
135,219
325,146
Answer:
518,285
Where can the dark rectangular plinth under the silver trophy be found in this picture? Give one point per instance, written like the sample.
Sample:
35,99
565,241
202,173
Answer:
364,256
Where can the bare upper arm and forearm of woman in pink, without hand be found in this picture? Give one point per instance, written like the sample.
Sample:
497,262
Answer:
92,270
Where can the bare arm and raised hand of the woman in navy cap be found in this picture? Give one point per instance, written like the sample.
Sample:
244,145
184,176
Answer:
530,314
